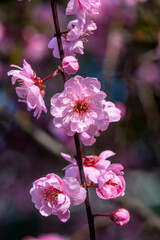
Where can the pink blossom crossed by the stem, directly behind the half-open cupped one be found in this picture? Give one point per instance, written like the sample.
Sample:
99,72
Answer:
92,166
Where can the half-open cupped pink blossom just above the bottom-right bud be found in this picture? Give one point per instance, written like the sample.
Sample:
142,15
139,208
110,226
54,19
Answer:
110,185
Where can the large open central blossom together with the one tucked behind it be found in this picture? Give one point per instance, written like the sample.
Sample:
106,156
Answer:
81,108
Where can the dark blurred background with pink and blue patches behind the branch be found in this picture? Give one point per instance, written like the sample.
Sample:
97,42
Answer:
124,54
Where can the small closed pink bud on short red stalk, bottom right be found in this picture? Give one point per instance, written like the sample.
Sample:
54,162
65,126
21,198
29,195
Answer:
121,216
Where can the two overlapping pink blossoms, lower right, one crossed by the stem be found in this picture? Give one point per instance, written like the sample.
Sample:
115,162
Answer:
98,170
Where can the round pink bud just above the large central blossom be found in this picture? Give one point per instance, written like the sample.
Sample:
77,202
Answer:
70,65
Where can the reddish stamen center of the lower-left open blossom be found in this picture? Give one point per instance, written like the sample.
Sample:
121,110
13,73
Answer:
51,194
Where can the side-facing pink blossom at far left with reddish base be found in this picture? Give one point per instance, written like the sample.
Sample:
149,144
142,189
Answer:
30,88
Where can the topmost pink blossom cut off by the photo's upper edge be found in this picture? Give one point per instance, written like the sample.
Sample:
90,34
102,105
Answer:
81,7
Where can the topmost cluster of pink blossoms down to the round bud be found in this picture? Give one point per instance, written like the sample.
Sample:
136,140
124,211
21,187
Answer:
77,30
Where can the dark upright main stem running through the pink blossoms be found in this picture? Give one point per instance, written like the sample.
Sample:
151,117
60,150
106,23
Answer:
76,136
